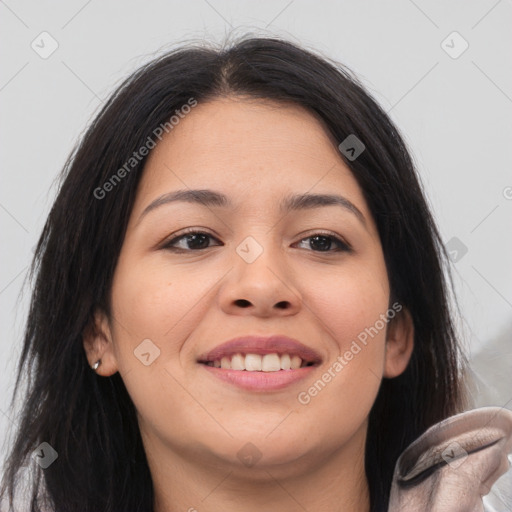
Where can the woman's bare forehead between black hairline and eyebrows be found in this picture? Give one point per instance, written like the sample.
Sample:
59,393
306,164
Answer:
252,150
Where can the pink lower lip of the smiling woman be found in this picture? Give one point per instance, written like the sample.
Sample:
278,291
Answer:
260,381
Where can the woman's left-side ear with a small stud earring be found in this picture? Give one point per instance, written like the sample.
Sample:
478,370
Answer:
97,341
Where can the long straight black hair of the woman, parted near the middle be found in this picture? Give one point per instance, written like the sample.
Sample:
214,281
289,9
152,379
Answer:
91,421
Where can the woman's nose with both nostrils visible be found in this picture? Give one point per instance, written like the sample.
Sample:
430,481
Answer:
261,287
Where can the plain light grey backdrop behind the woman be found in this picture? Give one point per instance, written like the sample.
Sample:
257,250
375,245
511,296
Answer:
455,114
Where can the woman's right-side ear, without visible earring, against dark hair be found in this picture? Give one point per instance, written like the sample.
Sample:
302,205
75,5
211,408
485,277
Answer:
399,343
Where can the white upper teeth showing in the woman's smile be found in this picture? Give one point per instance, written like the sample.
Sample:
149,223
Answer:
257,363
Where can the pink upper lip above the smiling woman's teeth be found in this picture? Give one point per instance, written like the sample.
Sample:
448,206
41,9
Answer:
275,344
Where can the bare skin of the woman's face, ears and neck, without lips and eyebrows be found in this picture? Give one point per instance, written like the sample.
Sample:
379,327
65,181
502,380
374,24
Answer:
193,424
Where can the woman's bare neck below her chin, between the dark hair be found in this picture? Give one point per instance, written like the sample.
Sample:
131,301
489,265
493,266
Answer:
333,481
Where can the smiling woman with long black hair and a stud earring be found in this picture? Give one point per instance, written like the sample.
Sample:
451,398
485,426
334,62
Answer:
242,253
